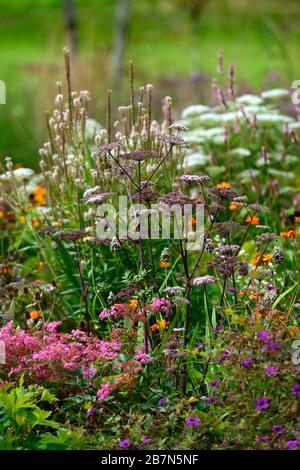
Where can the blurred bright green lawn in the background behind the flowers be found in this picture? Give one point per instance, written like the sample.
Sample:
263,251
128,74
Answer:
260,37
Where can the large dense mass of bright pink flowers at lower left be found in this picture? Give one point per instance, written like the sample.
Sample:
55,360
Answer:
46,353
